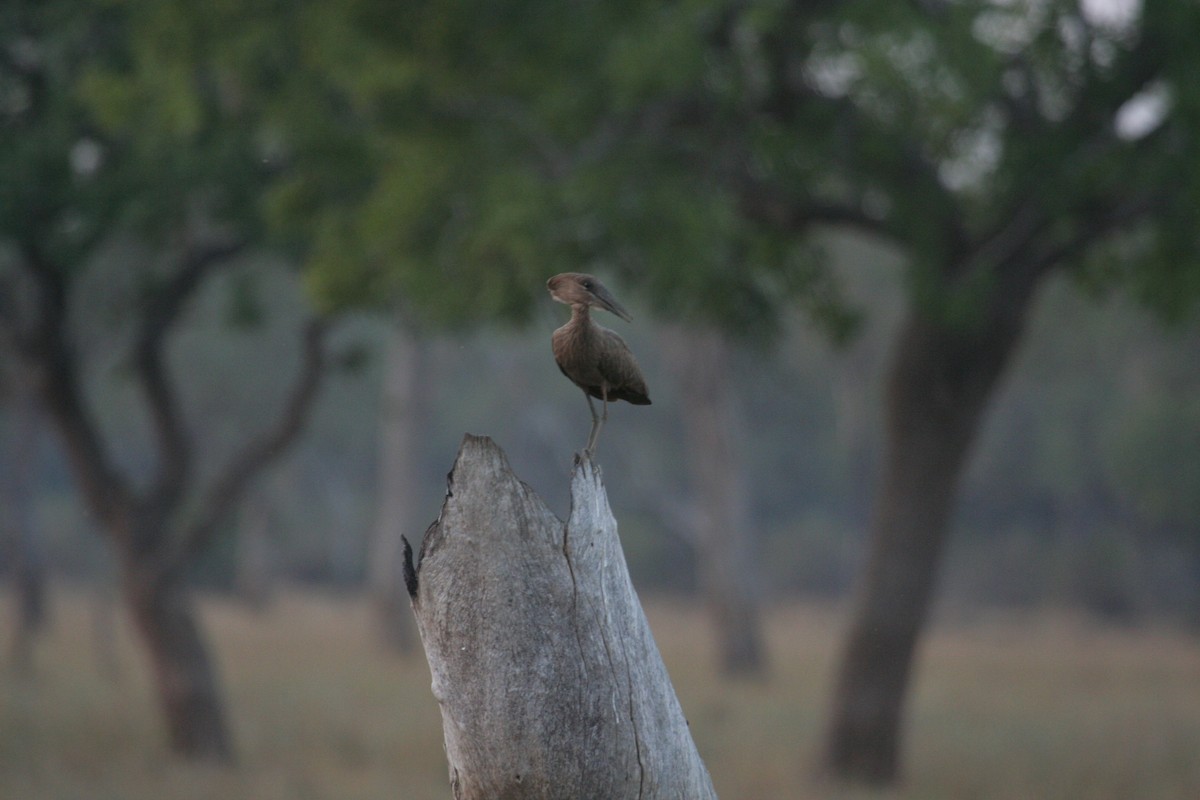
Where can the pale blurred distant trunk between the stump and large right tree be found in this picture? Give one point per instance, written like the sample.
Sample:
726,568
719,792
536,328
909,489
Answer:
700,359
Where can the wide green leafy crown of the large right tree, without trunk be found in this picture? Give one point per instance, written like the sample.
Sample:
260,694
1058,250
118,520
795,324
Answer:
640,140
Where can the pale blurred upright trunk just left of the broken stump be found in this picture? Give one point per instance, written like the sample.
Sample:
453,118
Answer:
400,431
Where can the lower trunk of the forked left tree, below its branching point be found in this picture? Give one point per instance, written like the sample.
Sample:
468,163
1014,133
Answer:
185,677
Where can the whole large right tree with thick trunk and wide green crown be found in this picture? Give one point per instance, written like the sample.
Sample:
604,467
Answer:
693,149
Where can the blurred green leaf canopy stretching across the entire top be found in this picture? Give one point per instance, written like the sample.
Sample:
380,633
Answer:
448,158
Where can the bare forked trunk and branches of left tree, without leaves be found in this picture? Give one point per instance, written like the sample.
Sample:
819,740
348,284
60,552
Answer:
146,519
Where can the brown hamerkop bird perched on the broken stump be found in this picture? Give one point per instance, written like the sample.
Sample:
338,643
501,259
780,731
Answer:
596,359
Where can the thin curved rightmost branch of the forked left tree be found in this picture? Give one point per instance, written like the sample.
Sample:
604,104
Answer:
232,484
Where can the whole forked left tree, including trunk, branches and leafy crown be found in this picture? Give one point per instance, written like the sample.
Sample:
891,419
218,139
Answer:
135,185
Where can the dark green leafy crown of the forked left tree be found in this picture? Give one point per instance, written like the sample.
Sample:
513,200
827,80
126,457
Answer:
112,134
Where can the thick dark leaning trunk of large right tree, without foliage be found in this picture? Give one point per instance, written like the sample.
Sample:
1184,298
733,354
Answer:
940,381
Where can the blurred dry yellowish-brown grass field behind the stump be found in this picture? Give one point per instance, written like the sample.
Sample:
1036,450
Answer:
1045,707
